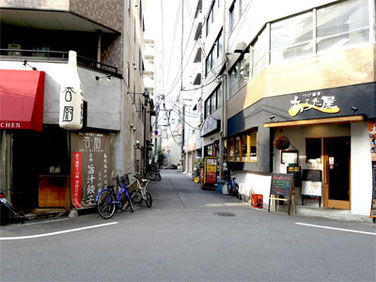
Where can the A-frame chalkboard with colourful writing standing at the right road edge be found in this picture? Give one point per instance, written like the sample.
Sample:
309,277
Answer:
281,188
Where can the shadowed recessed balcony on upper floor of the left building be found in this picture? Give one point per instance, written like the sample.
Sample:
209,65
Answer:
37,35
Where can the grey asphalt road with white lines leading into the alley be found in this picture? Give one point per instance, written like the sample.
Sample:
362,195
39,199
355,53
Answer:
189,235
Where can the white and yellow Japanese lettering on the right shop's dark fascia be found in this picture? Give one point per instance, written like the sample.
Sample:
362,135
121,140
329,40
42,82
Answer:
314,100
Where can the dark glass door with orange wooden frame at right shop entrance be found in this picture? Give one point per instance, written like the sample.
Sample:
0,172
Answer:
337,172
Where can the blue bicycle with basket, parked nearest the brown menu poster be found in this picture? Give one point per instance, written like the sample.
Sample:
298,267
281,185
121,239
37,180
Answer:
108,201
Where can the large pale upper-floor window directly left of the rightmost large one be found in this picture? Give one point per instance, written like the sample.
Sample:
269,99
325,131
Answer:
292,38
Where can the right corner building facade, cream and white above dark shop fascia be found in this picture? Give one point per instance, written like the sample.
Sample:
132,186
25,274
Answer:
300,96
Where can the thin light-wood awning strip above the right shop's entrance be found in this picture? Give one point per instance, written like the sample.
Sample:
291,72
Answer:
316,121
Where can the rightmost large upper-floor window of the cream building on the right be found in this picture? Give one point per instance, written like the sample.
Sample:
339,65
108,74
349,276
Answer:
342,24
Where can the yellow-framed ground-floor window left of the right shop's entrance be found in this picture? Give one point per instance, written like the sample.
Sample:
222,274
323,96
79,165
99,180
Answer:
243,148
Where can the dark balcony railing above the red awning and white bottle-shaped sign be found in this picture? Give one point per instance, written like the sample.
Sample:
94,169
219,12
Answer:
43,55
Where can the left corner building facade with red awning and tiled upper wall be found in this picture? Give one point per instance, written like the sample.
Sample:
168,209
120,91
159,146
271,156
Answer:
44,164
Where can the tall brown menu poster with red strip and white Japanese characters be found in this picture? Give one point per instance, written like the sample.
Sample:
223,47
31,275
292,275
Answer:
91,166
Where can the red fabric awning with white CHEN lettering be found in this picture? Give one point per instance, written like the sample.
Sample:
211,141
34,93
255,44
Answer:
21,99
